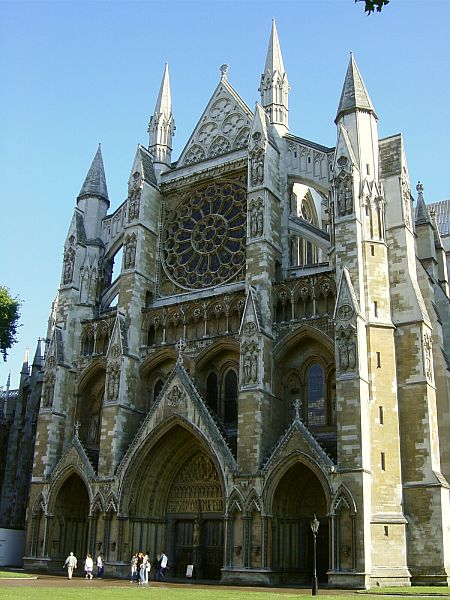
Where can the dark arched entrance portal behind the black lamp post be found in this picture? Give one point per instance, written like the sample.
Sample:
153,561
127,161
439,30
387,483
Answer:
299,495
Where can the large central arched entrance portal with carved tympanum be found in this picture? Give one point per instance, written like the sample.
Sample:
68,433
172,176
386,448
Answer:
179,505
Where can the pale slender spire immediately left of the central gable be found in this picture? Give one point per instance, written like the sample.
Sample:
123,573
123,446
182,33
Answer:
162,126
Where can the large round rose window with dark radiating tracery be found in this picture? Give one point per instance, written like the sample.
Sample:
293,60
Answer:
204,237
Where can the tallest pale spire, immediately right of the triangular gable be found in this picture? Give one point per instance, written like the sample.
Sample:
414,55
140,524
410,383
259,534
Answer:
274,87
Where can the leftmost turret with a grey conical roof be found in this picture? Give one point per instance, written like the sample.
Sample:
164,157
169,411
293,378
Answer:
93,198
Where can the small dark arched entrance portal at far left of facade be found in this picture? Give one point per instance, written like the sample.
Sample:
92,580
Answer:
70,523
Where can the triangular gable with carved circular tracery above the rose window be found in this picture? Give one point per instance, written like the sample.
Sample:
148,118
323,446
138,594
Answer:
223,127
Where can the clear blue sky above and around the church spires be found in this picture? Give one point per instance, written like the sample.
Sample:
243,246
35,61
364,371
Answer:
74,74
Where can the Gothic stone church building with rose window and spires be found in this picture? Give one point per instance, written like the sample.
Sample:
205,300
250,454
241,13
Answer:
271,349
